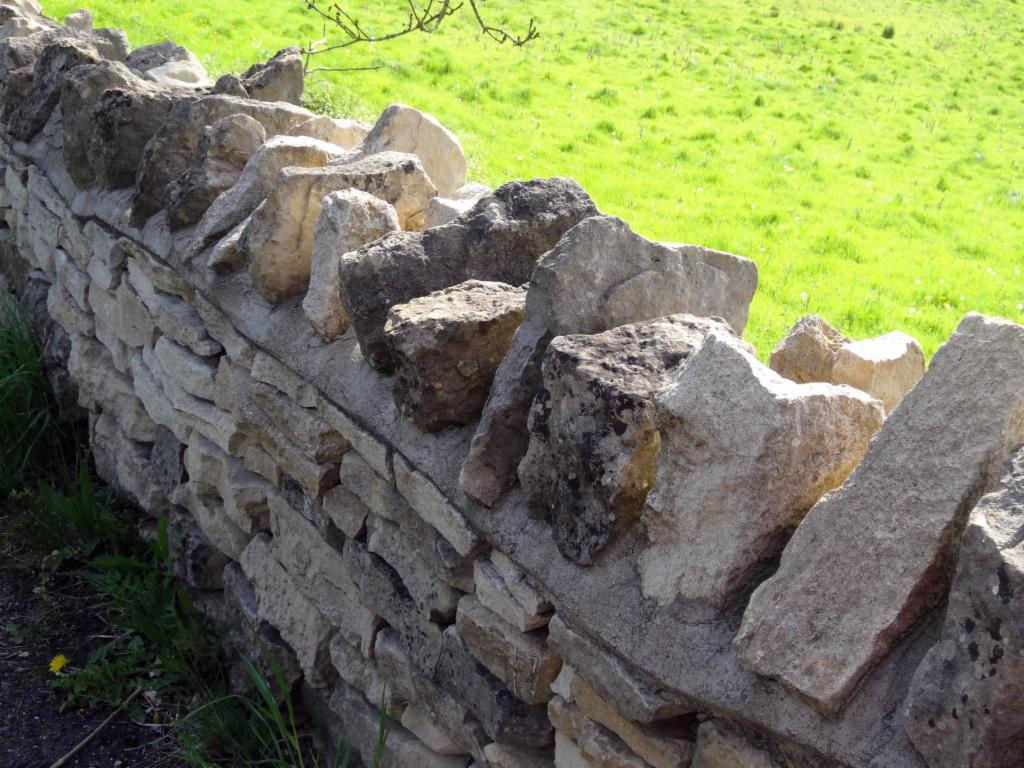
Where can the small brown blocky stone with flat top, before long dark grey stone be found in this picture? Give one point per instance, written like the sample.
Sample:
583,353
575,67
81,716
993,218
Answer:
447,347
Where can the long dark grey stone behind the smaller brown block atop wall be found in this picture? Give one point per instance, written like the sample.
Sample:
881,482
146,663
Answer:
499,240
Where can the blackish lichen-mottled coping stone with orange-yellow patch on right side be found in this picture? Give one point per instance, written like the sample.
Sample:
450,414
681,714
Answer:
593,441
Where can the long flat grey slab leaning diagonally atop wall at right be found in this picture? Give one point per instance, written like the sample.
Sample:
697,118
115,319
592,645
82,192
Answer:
892,529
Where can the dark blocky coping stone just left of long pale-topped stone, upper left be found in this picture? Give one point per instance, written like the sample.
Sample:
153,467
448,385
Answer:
124,120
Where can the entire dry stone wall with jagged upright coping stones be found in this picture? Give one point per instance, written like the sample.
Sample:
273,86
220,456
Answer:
494,461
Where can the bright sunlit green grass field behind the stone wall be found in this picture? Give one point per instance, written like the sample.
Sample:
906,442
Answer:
877,180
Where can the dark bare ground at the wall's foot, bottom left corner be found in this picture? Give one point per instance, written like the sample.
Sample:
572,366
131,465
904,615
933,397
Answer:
34,734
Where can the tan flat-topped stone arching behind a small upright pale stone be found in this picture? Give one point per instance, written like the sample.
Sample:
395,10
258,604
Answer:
279,242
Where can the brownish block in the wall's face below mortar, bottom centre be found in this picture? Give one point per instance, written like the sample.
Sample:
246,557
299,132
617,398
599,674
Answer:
523,661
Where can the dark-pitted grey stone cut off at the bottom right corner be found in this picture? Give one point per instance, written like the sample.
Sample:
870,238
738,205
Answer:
963,706
